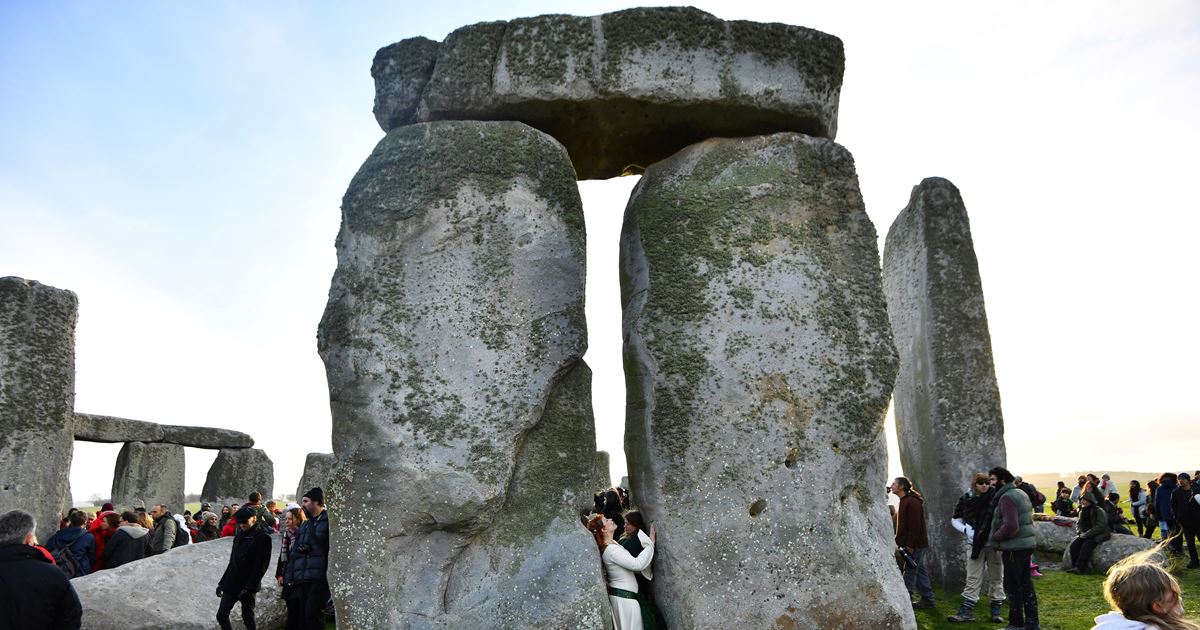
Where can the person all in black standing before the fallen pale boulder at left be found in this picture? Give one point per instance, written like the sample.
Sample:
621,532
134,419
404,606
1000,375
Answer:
248,565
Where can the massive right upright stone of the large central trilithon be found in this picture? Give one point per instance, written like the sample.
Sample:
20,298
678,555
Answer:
759,367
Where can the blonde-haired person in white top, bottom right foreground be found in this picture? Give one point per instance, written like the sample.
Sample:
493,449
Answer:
1143,596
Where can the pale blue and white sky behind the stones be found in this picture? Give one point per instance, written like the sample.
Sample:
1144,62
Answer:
181,167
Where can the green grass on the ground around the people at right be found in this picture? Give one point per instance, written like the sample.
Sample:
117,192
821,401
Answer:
1066,602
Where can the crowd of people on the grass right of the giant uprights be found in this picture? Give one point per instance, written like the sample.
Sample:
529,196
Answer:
997,518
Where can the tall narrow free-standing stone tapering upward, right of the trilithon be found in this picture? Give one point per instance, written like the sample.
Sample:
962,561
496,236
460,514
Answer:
947,403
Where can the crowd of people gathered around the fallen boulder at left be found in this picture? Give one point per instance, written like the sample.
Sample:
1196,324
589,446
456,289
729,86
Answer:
37,579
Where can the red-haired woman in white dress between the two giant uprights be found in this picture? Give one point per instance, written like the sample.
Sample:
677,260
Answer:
631,609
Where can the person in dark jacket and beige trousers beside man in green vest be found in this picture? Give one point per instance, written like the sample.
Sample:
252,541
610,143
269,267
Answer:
973,515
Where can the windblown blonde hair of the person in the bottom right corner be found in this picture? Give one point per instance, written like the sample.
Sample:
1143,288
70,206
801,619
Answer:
1137,583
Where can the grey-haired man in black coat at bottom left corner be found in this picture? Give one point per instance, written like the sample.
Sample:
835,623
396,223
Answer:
34,593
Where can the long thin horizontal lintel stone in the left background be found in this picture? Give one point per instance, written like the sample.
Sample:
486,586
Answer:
91,428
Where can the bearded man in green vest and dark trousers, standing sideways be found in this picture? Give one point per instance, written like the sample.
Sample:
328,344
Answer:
1012,535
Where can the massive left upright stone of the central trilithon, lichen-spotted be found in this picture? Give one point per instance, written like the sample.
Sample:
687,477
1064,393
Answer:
453,343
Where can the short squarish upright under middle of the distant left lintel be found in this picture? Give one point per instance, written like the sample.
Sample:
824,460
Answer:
149,475
